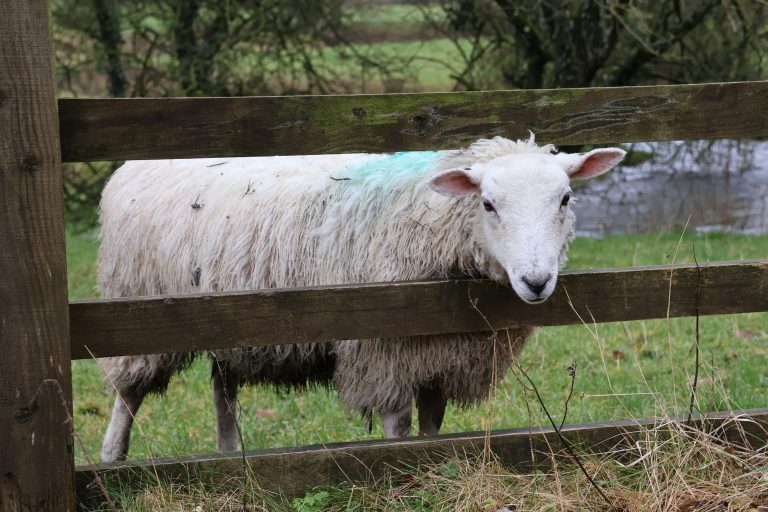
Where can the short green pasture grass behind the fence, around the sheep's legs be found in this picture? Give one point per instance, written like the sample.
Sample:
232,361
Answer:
626,369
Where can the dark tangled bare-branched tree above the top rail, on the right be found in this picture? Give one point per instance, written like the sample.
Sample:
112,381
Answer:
577,43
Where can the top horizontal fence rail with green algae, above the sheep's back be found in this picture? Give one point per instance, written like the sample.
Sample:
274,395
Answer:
121,129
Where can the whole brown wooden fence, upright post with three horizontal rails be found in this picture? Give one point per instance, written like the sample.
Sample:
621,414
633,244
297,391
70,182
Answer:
41,332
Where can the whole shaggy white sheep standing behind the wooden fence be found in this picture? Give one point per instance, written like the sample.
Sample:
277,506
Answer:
499,209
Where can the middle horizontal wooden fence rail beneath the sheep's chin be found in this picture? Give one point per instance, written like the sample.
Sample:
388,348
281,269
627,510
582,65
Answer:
198,322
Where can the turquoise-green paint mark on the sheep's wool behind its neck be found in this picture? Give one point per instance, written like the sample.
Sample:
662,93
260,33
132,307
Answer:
394,168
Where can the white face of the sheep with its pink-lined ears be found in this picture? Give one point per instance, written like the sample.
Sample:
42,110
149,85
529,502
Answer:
523,211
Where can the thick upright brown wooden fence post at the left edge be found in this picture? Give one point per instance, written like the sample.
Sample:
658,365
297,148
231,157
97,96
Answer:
36,460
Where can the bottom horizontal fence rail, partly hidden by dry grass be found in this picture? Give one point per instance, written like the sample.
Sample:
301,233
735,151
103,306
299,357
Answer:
293,471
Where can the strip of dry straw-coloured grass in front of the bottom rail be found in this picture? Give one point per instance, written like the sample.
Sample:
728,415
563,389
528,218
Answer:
671,467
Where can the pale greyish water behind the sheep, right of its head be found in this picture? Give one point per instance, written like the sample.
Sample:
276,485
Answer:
719,185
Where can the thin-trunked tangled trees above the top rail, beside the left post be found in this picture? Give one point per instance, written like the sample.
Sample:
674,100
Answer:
194,47
